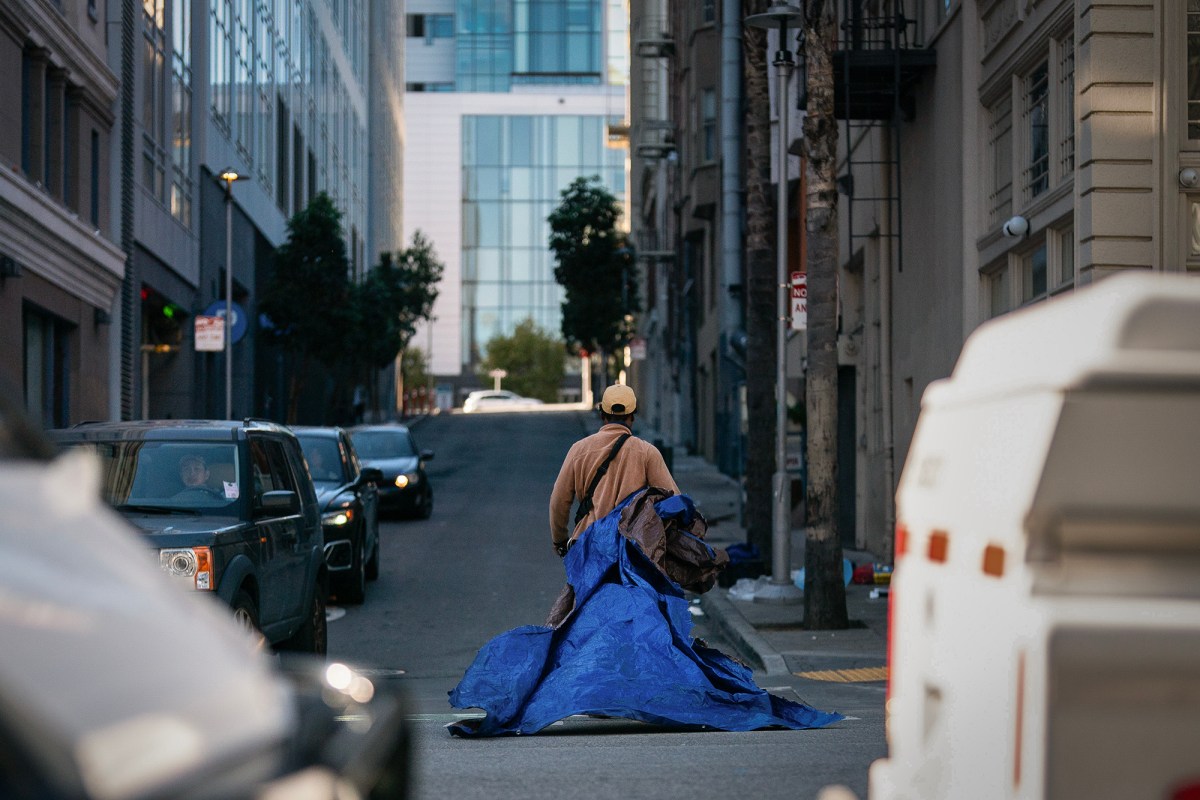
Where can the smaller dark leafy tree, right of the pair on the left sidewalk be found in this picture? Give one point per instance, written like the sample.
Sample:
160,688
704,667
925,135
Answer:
387,306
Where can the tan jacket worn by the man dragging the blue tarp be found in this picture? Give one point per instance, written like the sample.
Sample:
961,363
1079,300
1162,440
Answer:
639,465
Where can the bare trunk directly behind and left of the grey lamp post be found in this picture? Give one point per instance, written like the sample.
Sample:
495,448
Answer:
761,291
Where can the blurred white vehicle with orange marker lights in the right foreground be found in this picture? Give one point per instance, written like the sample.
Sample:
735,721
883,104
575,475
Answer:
1046,603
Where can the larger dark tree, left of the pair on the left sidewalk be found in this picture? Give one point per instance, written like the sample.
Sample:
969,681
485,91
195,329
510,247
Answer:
310,266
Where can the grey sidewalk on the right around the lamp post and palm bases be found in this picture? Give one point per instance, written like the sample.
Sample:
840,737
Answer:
771,637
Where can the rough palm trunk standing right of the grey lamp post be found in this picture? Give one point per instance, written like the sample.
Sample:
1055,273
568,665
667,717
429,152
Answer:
825,592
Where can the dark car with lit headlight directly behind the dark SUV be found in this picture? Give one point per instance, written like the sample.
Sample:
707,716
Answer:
350,510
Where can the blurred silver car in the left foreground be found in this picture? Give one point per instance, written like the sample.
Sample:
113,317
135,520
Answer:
116,685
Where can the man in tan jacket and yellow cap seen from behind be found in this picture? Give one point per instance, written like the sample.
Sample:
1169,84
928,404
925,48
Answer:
622,470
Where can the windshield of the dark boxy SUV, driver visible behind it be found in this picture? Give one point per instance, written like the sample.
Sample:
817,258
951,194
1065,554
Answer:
170,477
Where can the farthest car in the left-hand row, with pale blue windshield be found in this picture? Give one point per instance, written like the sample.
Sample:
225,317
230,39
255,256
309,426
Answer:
392,449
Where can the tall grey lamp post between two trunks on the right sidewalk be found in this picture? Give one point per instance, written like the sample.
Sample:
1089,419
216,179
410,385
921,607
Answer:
781,590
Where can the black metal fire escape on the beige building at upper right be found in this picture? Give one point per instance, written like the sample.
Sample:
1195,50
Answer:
877,69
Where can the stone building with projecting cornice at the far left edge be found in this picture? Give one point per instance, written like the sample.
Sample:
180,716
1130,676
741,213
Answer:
59,268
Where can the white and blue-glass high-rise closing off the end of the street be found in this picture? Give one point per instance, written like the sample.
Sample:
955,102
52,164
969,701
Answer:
507,104
